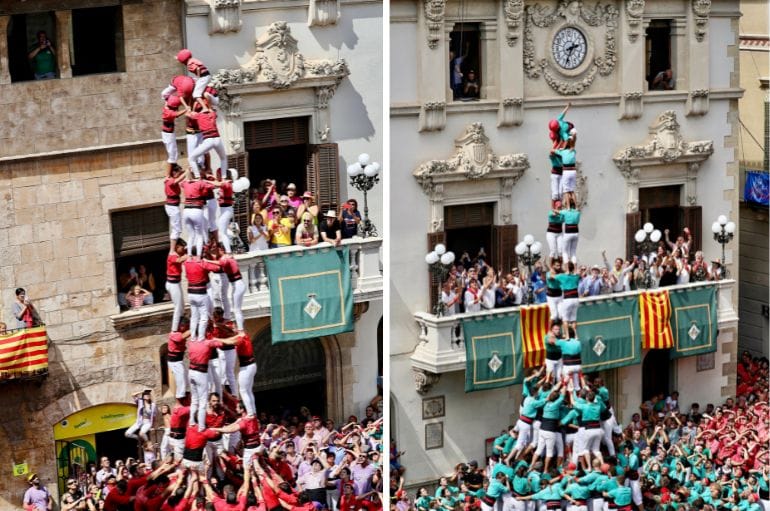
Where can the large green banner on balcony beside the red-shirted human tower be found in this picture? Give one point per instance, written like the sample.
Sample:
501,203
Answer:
310,294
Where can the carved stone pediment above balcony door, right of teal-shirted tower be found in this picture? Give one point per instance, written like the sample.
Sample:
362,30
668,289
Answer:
665,159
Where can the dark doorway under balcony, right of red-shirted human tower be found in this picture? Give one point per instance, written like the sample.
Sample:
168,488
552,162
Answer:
290,375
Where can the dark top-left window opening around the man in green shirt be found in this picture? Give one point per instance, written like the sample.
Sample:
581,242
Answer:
23,39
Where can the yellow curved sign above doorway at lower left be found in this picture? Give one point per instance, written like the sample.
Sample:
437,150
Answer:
96,419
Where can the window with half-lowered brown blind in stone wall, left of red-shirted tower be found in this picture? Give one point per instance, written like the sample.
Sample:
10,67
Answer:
140,239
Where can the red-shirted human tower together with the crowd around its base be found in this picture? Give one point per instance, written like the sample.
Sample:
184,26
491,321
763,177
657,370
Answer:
213,432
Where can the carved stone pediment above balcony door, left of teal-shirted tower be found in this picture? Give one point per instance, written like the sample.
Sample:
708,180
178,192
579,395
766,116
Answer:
473,174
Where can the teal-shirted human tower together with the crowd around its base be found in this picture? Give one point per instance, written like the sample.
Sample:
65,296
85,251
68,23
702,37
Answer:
568,451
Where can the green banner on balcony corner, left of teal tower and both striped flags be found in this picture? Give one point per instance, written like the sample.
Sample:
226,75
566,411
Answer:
493,352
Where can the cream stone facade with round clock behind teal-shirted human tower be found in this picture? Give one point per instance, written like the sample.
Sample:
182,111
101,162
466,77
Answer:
480,172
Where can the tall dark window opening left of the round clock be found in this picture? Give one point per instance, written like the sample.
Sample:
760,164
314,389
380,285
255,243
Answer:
465,62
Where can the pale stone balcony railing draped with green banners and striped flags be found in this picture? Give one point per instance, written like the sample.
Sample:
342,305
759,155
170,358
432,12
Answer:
442,348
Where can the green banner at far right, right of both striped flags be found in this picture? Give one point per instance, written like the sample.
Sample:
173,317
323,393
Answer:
694,321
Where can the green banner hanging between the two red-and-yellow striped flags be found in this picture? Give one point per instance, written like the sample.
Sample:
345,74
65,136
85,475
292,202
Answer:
609,333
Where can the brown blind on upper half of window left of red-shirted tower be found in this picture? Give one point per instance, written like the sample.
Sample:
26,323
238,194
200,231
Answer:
139,231
